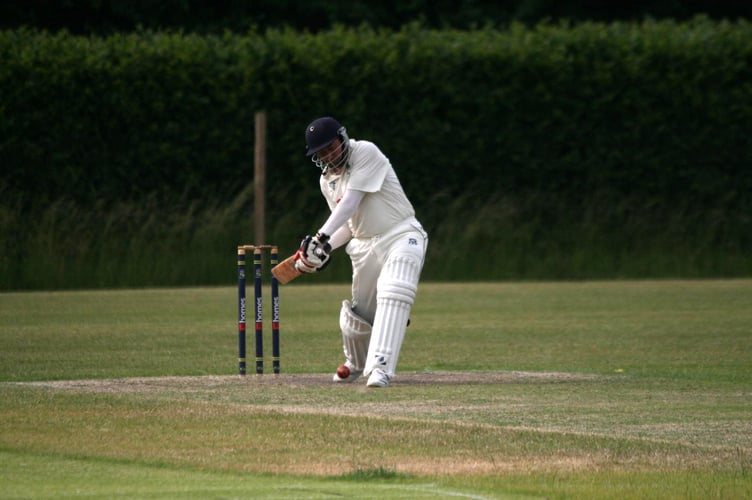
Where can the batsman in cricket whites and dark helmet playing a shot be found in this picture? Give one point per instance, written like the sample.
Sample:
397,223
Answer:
373,217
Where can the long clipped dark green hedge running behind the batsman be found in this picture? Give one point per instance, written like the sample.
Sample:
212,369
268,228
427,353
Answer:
568,151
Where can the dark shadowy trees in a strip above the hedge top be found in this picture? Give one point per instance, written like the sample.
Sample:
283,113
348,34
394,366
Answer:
104,17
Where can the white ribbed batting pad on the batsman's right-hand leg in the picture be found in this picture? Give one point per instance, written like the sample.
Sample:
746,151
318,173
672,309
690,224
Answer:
396,293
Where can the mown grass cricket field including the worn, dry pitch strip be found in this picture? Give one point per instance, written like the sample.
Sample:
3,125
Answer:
614,389
